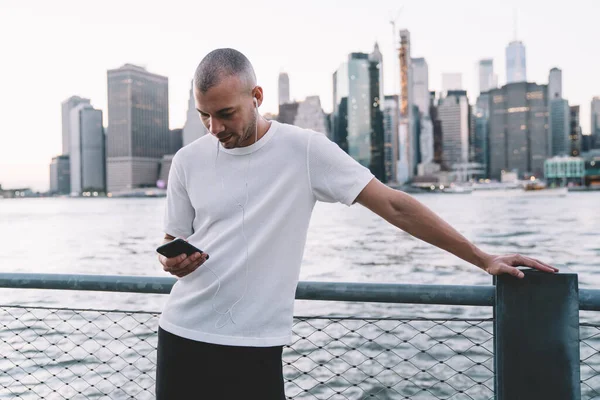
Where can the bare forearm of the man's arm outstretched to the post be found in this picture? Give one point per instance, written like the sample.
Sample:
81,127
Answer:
416,219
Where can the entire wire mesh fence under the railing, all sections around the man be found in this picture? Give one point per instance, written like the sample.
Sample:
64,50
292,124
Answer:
58,353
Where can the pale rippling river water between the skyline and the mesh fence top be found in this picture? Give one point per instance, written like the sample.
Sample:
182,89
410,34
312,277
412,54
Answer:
118,236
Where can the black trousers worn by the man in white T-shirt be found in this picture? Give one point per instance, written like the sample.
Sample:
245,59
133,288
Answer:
187,369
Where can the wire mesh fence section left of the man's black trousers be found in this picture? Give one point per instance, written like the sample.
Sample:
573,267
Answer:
57,353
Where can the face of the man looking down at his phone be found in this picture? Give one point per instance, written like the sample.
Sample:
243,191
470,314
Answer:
227,111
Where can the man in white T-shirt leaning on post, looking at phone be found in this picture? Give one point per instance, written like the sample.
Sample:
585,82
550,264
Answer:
244,194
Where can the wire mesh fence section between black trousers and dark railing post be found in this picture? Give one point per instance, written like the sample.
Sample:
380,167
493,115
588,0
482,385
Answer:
353,358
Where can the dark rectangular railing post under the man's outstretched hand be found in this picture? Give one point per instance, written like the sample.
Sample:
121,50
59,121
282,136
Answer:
536,337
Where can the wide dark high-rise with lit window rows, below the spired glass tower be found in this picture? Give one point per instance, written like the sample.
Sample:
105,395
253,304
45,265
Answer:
518,135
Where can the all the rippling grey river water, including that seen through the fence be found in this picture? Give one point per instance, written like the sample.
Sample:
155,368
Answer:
350,244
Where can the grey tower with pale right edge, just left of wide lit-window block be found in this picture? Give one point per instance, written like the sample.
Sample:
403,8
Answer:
454,114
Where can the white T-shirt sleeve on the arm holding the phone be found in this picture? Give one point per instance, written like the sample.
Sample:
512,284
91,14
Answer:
179,212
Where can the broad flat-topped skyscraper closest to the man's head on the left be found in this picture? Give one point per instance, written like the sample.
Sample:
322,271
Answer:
138,127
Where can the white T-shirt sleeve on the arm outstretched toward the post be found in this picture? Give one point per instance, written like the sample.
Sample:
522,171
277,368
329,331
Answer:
334,176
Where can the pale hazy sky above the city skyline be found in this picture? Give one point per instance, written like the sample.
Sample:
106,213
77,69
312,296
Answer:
53,49
